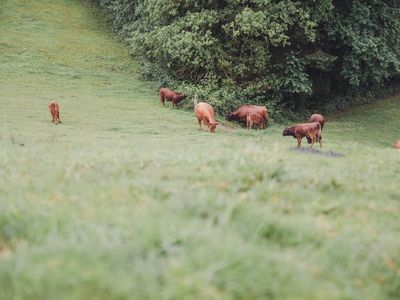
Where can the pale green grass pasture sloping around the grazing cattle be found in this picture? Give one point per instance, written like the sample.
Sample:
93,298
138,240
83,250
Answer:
129,200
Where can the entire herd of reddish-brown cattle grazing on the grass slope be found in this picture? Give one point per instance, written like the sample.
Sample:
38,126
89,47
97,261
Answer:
248,114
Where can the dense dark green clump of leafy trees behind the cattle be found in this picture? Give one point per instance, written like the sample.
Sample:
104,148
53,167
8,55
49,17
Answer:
294,54
